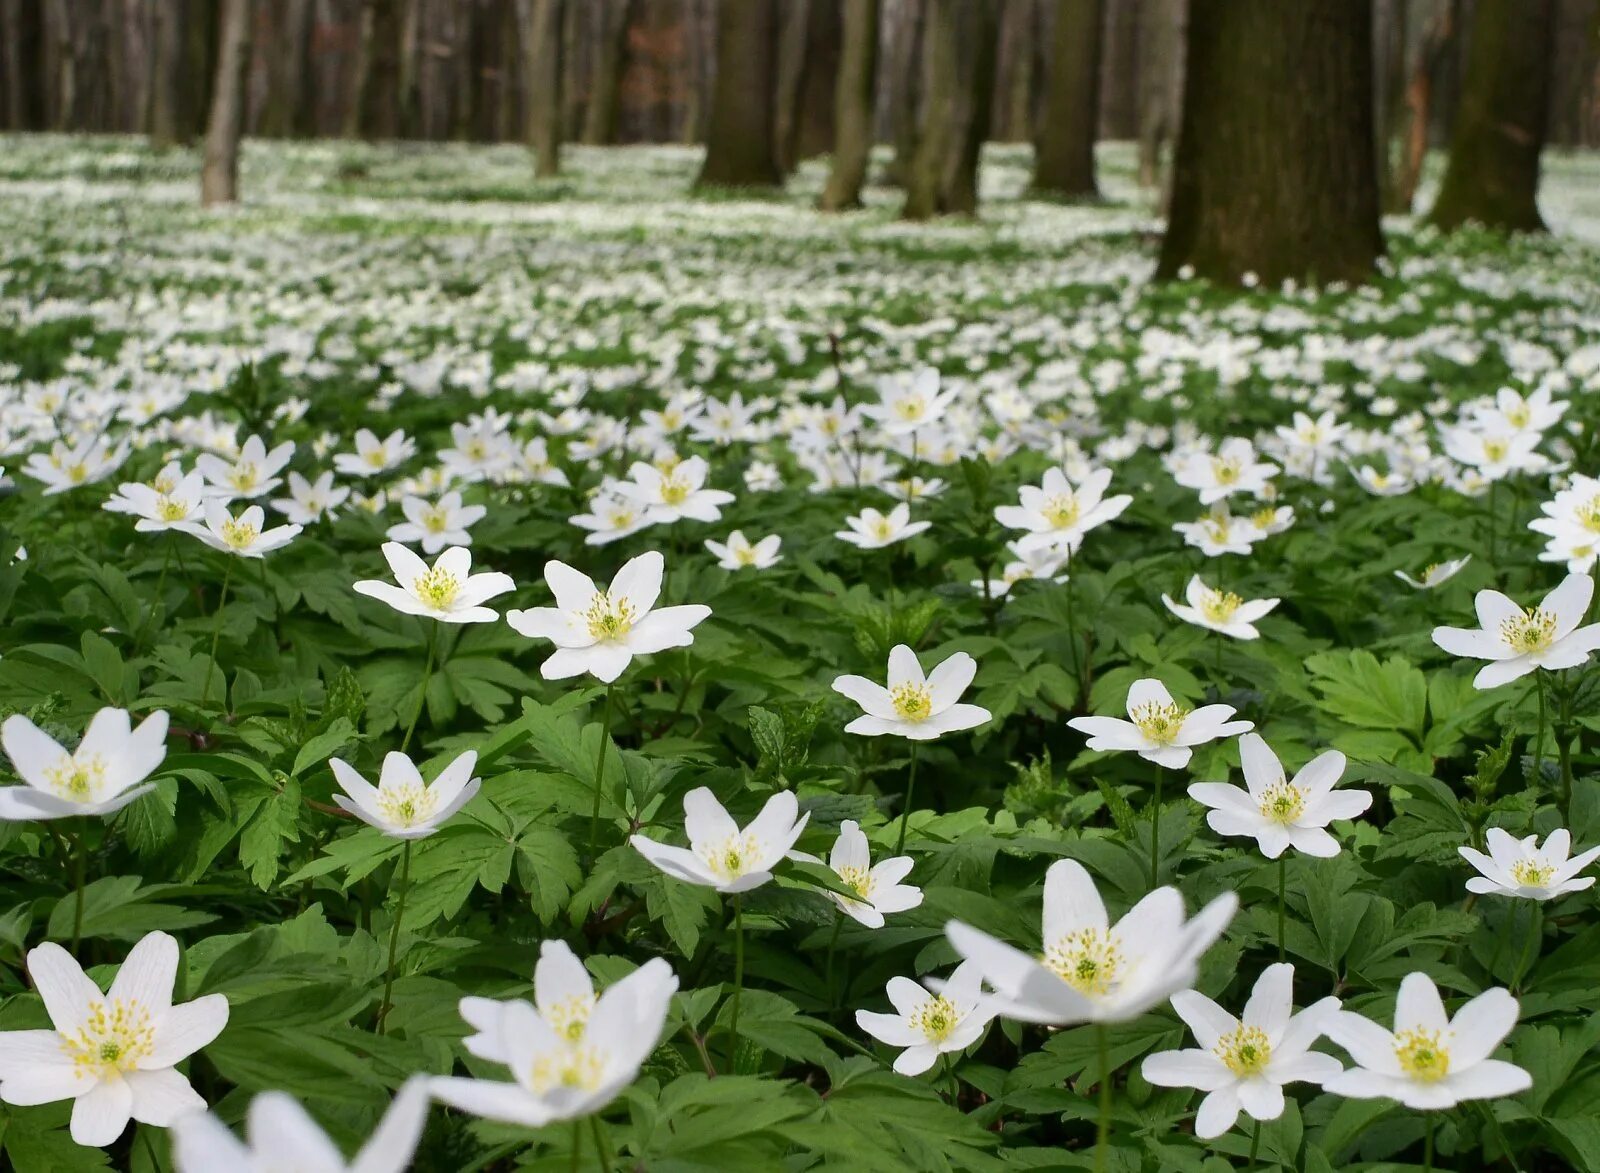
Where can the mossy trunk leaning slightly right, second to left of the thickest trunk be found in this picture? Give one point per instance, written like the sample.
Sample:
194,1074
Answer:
961,44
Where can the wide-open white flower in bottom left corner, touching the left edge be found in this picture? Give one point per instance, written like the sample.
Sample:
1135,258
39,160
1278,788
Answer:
113,1054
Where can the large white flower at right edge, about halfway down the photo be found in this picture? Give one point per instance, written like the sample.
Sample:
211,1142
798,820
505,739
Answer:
1519,641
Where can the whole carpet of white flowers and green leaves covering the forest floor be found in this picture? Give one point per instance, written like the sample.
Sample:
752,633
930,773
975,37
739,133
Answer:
570,676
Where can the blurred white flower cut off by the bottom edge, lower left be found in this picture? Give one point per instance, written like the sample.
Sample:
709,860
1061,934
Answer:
281,1135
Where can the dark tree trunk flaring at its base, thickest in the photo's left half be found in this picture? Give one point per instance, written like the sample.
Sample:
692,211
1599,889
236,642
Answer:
740,150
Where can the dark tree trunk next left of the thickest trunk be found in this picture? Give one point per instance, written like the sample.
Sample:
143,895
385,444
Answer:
1071,122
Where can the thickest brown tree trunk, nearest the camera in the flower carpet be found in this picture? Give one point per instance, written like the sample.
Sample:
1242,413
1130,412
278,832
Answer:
1276,172
